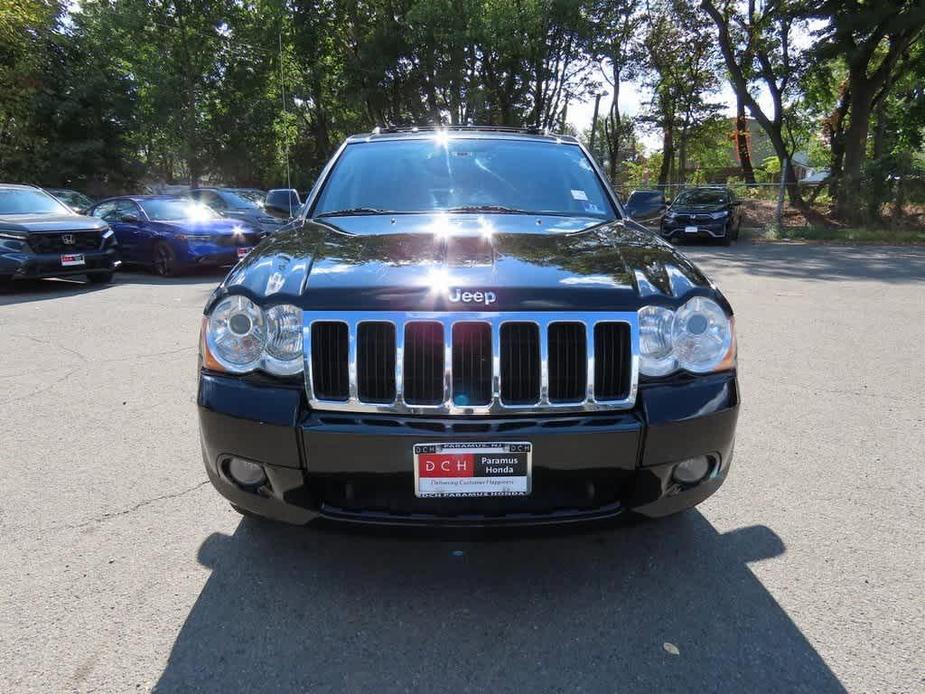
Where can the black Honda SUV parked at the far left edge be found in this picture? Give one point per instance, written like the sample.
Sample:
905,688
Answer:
41,237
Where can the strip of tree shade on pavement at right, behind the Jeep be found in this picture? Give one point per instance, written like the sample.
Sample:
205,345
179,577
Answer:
890,264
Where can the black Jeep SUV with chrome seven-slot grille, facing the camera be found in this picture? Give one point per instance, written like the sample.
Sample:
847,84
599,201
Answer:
463,329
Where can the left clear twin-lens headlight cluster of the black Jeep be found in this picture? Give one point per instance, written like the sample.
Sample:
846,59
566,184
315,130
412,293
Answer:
242,337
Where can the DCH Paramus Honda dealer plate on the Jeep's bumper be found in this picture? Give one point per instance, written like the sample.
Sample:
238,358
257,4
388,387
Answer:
472,469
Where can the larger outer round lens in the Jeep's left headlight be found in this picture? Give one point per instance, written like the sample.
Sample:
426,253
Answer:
237,333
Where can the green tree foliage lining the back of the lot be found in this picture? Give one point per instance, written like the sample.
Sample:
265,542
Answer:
107,95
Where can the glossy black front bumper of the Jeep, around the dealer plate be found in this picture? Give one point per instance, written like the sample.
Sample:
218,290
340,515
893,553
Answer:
358,468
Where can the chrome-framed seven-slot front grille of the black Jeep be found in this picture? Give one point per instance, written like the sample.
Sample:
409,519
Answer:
470,363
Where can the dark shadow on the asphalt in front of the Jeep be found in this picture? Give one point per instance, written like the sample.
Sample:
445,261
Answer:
294,609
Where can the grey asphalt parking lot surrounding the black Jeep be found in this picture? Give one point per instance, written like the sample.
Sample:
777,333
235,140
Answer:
122,570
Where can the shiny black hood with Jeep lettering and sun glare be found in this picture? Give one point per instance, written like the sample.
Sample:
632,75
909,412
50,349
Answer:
424,262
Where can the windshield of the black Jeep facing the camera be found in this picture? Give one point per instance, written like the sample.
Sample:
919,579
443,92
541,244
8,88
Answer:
466,175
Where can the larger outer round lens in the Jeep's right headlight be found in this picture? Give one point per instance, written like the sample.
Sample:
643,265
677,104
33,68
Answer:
702,335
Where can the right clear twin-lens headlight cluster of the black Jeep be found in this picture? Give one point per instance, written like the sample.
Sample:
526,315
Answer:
698,337
